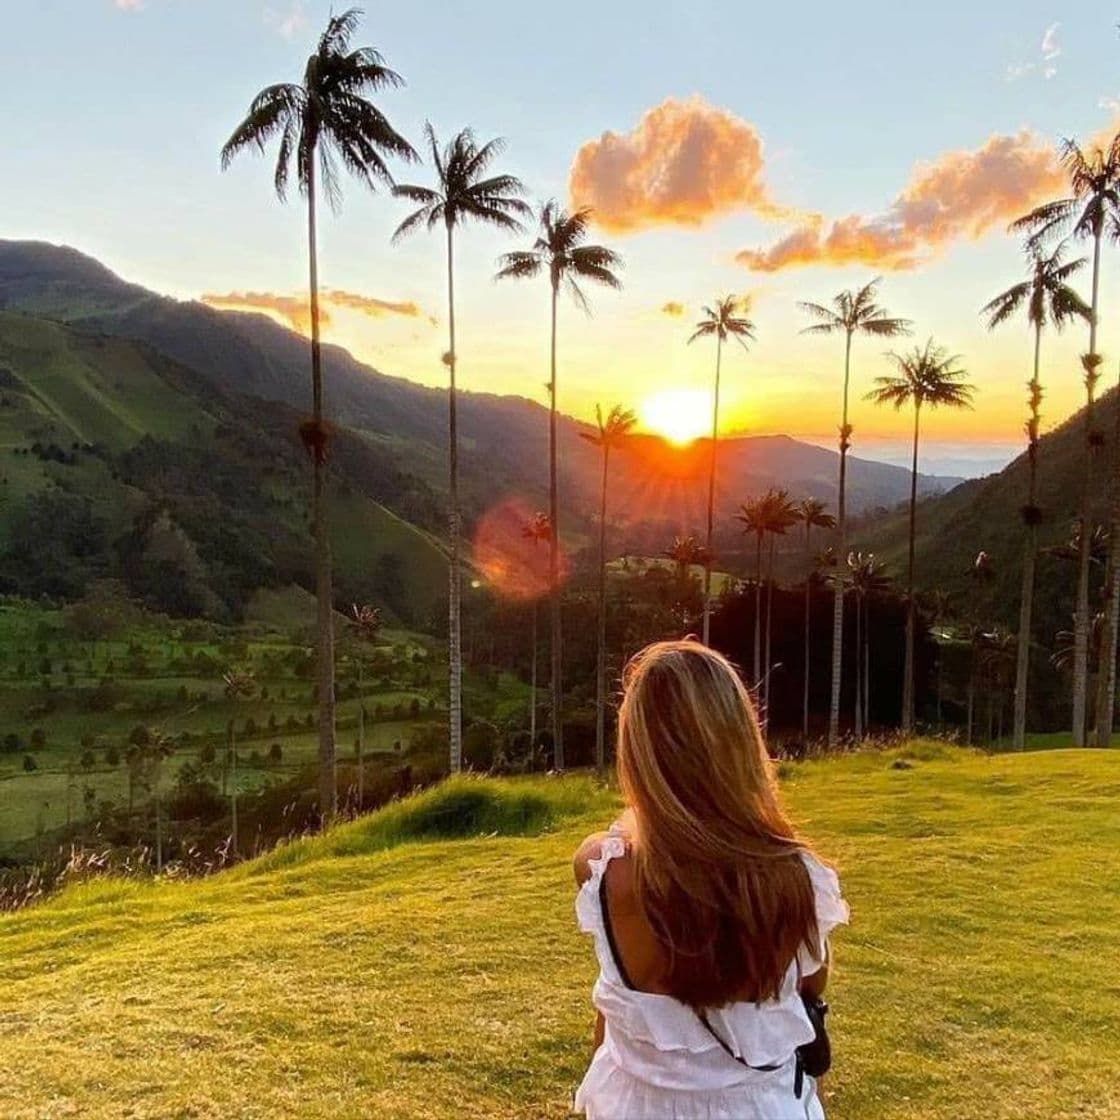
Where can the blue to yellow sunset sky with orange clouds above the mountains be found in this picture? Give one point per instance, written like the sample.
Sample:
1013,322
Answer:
780,153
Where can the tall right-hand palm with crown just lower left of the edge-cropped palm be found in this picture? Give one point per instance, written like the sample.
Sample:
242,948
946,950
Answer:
1050,302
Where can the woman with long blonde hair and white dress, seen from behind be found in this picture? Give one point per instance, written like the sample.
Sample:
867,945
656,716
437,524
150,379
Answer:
711,918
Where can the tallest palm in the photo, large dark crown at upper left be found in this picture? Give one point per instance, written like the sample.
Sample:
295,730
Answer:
321,123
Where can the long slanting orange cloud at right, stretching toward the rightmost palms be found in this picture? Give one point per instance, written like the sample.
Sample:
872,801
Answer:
964,194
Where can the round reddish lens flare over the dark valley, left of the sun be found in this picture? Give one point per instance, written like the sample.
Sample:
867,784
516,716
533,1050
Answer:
509,558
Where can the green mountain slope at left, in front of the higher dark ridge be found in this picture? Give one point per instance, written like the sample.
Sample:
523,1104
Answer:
119,462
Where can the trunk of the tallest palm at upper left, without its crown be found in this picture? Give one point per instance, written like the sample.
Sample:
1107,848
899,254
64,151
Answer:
329,796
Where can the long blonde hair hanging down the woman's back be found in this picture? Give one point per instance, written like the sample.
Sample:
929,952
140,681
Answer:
718,869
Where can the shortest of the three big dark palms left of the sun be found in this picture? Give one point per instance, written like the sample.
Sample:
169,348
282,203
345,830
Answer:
561,251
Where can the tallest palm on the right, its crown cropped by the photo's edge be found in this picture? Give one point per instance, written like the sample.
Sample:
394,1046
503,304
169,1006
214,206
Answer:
1089,212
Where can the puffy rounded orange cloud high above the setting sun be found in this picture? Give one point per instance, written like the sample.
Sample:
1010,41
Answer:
686,163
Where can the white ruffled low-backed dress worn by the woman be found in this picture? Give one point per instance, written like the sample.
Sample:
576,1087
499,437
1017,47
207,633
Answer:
658,1061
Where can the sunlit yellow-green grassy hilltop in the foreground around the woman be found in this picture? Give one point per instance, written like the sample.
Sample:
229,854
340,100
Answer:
424,963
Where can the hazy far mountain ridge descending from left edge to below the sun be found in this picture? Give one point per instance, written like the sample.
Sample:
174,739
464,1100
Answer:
658,489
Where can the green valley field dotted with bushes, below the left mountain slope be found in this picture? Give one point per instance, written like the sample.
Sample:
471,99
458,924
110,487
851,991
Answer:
162,676
